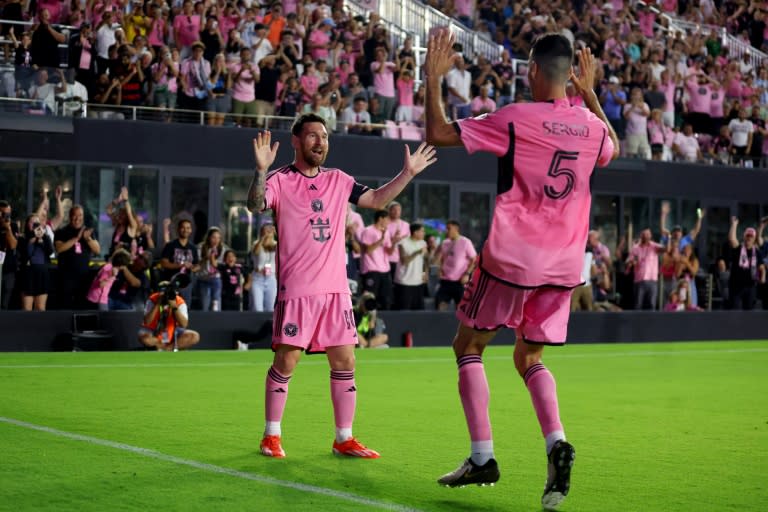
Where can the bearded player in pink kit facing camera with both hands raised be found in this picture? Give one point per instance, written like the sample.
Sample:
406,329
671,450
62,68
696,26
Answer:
314,307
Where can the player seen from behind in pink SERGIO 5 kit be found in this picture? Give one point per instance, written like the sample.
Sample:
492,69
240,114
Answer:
532,259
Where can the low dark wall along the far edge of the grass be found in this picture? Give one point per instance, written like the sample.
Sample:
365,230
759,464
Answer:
50,331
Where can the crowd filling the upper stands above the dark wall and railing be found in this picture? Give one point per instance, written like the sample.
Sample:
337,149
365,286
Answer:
670,94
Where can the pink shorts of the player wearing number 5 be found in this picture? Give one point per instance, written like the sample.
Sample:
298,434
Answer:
539,315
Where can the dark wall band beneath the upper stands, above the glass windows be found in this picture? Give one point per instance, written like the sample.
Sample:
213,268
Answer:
188,145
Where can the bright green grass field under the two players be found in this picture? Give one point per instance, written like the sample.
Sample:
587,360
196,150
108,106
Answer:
657,427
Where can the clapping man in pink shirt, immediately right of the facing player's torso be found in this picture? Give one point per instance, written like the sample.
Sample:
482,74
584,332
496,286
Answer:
374,266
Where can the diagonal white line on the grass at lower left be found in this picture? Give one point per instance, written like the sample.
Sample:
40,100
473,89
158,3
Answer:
354,498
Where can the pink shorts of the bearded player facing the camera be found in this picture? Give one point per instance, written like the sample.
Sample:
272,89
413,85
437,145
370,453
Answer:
314,323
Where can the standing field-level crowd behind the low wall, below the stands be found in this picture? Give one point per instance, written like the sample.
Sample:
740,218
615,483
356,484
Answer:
392,263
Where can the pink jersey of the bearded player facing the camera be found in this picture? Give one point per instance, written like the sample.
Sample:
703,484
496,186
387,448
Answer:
311,215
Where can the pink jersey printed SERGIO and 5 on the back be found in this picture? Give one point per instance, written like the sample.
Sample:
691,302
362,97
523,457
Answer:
547,153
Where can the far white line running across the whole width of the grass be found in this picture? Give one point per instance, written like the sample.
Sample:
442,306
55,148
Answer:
323,362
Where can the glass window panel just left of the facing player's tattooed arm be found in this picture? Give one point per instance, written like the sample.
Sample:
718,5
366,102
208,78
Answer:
240,226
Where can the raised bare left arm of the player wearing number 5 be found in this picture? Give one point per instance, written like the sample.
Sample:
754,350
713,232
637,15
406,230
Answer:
439,60
